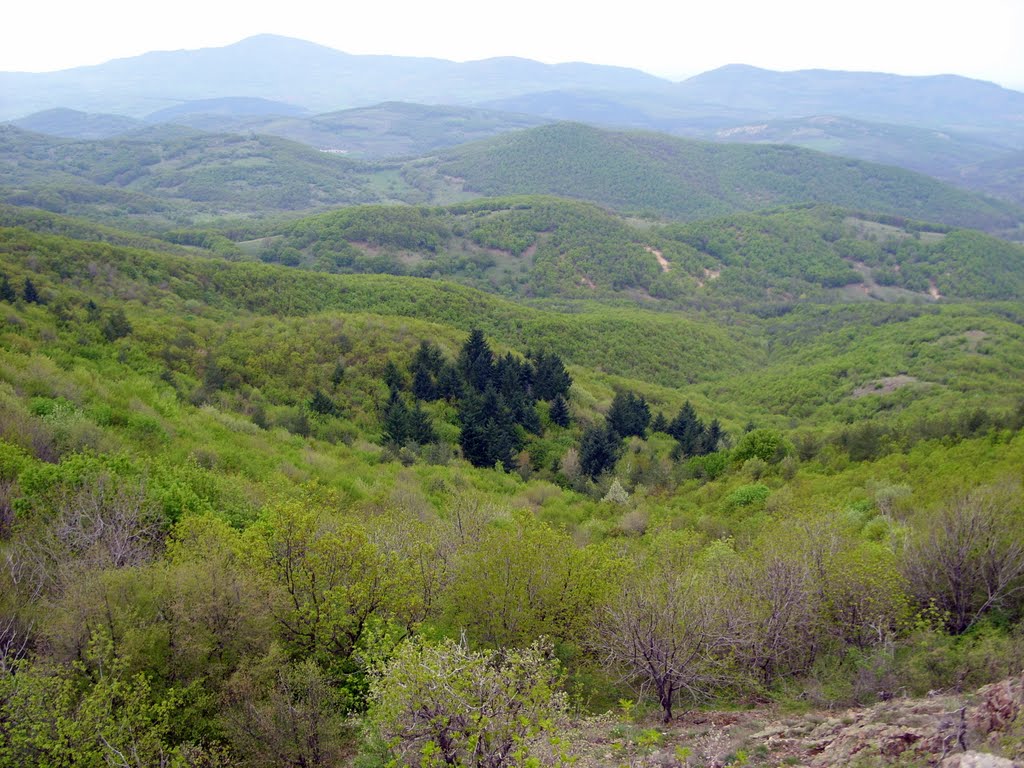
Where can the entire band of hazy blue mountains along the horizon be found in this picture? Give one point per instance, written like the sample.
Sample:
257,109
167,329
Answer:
965,132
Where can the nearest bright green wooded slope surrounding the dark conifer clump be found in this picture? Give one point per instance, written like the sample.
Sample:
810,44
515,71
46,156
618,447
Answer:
243,508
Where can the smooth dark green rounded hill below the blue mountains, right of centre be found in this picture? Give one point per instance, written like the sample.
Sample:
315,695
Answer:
688,180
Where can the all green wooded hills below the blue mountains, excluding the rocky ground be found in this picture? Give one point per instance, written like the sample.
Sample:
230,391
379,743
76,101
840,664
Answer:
442,481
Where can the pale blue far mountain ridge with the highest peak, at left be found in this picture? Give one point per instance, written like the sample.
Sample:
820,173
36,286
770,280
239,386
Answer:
298,73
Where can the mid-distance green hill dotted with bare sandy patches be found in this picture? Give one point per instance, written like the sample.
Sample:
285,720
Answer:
548,247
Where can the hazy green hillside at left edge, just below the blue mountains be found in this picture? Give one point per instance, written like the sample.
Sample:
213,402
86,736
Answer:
176,177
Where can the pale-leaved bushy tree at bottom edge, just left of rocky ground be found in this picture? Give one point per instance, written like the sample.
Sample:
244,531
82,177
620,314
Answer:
443,705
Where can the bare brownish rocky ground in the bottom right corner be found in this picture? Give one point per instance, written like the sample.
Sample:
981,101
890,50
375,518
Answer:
984,730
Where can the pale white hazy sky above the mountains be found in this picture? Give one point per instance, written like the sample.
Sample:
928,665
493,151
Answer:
671,38
